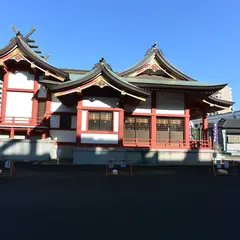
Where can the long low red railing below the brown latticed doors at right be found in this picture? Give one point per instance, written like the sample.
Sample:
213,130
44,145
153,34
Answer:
141,142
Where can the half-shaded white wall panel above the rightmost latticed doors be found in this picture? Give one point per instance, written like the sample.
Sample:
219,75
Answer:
170,103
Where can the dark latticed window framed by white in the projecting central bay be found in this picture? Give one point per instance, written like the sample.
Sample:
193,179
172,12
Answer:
100,121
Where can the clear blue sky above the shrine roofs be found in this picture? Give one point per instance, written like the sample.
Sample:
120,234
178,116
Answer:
201,38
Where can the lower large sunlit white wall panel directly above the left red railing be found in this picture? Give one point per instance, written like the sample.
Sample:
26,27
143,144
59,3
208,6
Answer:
19,104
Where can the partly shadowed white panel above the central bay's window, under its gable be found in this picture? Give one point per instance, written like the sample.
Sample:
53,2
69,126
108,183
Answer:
100,102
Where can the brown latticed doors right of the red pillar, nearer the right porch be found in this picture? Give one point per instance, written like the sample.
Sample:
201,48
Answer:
170,129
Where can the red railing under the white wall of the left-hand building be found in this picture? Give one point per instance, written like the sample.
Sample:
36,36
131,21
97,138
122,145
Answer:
20,121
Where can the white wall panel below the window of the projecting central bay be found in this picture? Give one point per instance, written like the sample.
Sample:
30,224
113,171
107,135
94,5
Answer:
99,138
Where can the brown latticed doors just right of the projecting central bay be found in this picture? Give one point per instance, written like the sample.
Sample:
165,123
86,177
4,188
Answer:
137,127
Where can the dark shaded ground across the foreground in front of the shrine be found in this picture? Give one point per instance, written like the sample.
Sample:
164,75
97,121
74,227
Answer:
164,203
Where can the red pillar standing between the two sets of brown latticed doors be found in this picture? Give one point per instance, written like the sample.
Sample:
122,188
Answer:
153,121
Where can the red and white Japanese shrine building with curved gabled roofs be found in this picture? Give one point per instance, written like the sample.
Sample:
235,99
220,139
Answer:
141,114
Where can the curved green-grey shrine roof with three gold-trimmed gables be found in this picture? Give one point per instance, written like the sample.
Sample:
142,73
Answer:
153,71
